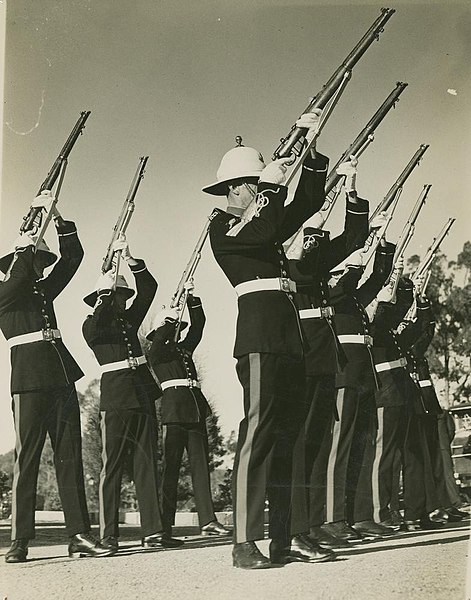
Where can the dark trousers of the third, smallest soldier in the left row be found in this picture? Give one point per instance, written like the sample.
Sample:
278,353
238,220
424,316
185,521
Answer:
194,438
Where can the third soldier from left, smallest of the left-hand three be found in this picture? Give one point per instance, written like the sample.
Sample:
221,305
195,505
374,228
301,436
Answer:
184,409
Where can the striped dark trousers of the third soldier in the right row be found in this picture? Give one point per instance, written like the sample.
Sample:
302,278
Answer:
350,431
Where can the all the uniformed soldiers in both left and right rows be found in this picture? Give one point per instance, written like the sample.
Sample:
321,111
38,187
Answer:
335,382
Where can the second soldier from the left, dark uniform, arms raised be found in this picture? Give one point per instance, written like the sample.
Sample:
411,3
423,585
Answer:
127,400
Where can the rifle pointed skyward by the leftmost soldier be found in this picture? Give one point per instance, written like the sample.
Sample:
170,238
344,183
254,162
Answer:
33,222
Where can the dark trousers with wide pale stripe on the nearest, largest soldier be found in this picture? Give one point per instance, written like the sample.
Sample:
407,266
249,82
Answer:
273,413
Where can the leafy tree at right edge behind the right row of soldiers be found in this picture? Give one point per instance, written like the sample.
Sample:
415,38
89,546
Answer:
449,354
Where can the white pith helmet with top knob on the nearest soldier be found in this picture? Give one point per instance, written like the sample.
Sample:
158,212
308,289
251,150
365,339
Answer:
239,163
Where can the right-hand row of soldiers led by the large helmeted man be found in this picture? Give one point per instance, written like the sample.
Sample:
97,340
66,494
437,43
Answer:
337,389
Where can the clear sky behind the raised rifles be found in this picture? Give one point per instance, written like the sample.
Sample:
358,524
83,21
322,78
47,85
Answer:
178,81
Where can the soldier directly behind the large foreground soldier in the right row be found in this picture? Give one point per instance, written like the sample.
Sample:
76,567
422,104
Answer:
323,359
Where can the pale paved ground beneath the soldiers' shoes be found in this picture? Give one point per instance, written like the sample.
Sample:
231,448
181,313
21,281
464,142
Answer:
413,566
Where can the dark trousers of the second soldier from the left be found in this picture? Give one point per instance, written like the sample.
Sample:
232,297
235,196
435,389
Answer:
123,431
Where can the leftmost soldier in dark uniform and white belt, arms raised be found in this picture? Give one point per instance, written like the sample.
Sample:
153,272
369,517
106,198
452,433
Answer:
43,372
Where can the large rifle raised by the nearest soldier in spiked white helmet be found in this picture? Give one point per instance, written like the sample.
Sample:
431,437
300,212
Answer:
292,144
